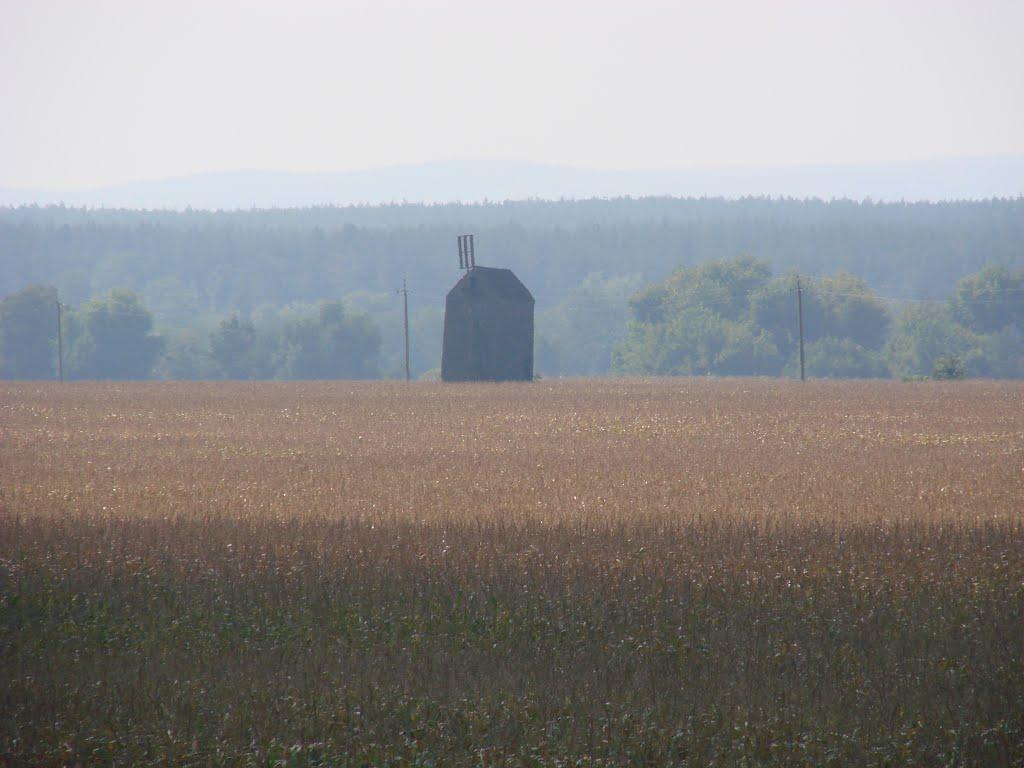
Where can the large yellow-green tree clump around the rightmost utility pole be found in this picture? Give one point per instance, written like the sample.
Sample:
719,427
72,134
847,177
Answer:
732,318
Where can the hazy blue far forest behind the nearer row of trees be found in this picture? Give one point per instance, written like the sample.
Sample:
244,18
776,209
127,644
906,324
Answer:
582,260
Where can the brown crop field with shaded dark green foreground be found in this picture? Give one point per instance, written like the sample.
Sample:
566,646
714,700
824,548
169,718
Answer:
614,573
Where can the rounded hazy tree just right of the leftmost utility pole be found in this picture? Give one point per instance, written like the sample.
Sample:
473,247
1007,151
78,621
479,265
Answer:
114,339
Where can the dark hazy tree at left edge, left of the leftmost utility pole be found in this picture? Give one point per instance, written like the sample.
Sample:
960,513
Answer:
28,334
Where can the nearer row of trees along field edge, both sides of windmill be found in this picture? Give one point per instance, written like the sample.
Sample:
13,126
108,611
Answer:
726,317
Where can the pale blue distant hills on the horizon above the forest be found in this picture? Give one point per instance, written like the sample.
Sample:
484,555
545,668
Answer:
960,179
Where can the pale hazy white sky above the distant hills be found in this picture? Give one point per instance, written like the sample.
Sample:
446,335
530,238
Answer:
103,93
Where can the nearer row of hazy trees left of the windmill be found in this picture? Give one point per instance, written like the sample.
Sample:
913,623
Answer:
112,337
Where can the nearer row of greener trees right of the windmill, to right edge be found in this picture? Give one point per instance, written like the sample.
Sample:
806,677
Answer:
735,318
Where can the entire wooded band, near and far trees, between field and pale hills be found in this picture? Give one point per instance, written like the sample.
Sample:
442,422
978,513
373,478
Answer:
627,286
